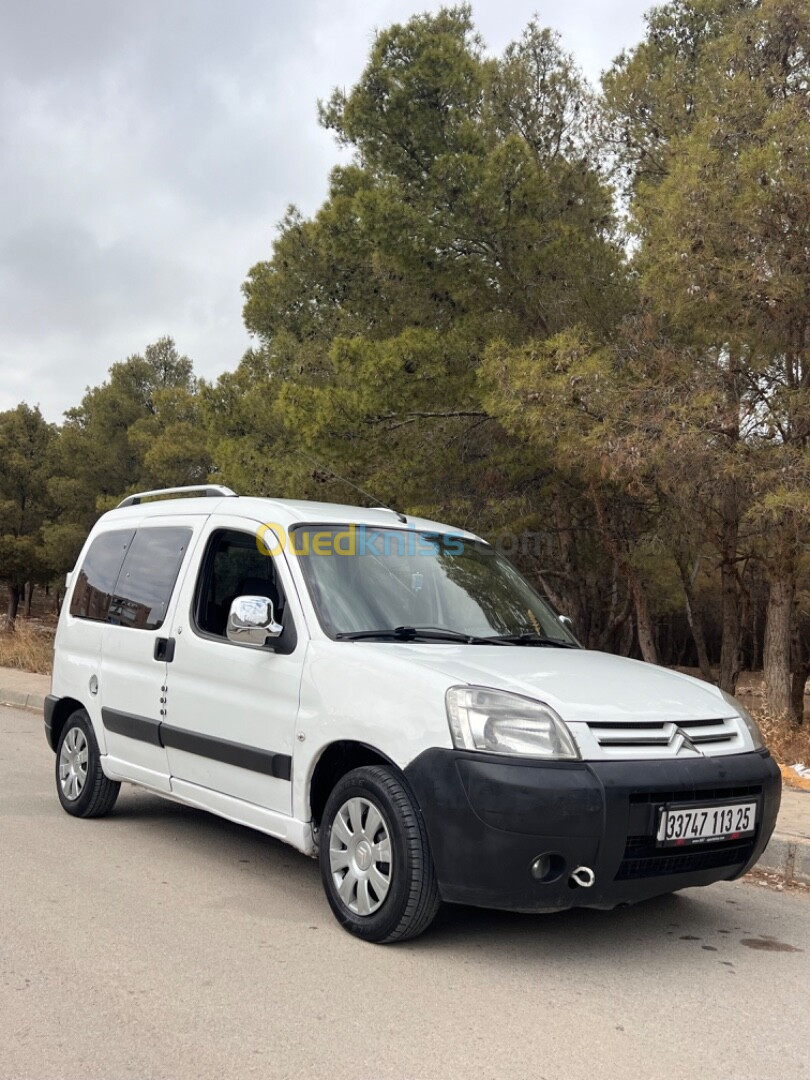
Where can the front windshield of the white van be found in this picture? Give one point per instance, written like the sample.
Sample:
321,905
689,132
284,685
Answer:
368,580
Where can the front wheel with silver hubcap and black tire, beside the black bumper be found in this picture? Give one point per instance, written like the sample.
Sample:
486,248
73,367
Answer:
375,859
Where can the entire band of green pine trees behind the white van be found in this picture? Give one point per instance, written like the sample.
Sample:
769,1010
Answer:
525,308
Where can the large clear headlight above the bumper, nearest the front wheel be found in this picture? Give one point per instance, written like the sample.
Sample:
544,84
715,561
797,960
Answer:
504,723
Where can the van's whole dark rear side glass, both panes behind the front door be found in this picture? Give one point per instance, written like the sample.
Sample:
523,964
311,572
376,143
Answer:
128,577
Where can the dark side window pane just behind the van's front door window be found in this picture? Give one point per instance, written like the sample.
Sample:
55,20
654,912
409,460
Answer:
147,577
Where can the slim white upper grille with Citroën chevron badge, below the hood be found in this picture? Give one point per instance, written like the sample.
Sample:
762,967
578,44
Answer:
657,739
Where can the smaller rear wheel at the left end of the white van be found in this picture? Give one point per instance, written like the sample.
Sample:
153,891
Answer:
84,790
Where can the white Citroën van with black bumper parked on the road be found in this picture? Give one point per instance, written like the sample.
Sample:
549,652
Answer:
389,695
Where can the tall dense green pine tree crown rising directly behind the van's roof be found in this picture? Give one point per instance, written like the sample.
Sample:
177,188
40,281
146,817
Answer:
472,210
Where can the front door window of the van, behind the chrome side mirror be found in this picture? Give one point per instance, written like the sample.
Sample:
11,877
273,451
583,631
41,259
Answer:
234,566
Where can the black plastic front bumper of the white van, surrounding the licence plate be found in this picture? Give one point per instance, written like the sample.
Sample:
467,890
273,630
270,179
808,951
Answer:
489,821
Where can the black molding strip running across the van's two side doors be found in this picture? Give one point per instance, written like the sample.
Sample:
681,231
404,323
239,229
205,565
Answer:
156,734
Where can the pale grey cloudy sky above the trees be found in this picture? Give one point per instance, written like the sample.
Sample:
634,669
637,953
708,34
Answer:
148,150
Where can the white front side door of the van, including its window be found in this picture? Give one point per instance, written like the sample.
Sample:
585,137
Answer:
232,709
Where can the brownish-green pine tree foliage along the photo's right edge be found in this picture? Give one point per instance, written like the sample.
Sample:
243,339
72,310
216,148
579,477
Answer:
725,229
